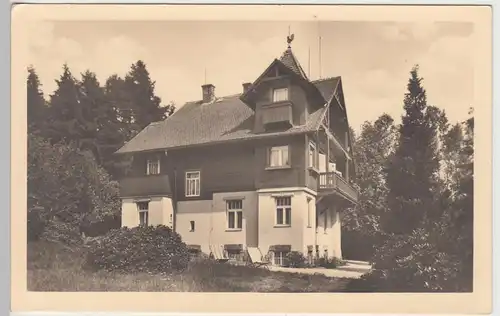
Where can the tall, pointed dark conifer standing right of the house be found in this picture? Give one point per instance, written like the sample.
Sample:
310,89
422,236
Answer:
413,169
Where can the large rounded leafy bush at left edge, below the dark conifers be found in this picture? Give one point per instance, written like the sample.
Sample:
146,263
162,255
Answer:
68,186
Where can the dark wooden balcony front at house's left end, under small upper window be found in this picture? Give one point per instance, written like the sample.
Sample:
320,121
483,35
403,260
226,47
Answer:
151,185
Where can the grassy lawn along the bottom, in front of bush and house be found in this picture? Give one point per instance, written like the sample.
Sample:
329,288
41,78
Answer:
52,267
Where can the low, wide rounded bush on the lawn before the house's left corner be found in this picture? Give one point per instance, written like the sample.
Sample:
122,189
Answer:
154,249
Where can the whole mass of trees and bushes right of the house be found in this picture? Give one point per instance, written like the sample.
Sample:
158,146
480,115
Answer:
427,214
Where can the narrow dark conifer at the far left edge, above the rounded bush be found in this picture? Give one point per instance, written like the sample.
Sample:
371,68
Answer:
36,104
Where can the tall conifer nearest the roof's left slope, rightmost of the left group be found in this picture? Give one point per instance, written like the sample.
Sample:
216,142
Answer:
145,104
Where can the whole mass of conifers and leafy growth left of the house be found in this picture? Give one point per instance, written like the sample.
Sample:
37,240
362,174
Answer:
72,139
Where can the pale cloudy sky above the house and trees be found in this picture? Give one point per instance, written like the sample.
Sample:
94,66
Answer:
373,58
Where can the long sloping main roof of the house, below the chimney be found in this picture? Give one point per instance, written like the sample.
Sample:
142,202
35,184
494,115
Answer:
226,119
